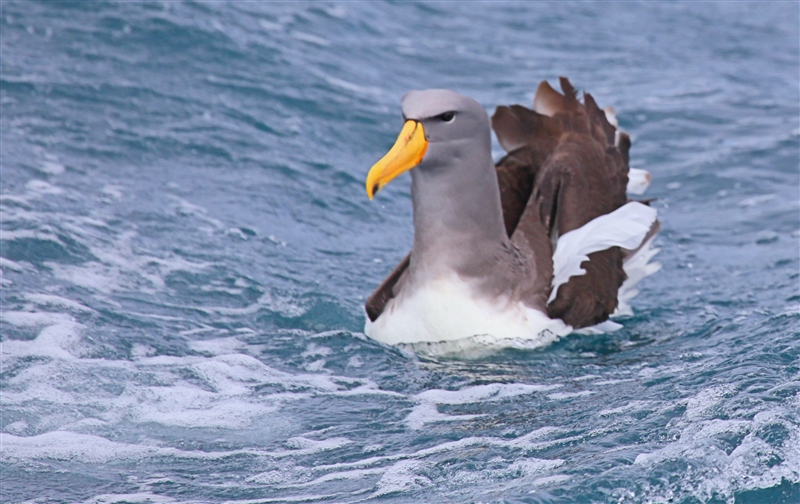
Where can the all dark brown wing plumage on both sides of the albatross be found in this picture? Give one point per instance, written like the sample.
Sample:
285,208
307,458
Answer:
566,165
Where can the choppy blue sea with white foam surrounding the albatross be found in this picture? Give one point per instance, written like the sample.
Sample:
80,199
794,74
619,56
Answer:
187,246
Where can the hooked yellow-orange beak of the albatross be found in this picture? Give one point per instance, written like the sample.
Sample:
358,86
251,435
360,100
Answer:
406,153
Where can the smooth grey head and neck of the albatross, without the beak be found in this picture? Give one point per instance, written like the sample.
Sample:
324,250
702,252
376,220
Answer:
458,220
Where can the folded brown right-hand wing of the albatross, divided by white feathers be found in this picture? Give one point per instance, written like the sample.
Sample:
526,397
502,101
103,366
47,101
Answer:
584,178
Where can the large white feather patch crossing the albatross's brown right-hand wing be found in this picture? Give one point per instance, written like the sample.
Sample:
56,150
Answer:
625,227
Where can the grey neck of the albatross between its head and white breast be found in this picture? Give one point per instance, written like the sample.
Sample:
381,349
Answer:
458,219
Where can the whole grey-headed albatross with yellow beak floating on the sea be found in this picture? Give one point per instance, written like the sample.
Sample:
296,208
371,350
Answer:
518,253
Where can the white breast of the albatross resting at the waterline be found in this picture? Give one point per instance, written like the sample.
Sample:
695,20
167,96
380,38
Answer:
447,309
